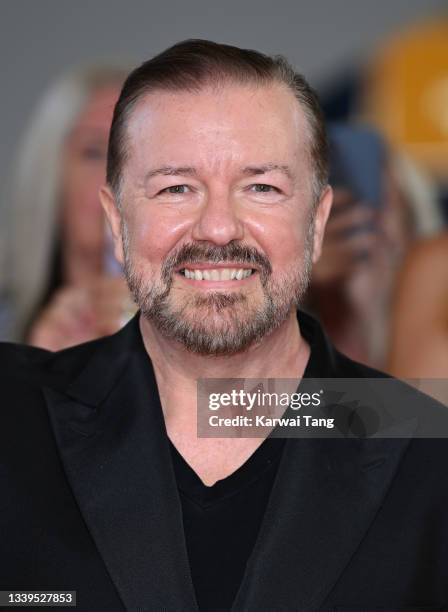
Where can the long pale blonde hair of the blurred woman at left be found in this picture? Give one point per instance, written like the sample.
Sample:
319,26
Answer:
34,194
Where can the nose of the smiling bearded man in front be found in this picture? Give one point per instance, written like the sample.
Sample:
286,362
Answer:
218,221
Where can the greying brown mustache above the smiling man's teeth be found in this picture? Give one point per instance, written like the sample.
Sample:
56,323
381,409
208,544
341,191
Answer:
233,251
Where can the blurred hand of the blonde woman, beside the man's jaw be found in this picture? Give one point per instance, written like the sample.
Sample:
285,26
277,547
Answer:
78,314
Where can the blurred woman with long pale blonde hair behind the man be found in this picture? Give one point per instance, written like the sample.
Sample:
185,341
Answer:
55,278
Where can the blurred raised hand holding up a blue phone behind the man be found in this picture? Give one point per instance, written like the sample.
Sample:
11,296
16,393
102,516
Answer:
352,281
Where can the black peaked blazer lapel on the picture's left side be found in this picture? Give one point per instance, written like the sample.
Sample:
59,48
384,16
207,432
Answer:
111,436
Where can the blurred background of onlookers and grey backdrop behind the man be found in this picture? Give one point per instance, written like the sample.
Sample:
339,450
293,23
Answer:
381,70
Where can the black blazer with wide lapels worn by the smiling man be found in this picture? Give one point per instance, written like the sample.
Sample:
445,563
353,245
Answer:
88,498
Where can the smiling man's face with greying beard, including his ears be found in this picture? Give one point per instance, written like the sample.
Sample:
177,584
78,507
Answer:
217,226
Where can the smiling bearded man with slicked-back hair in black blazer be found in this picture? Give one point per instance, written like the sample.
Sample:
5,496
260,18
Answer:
217,197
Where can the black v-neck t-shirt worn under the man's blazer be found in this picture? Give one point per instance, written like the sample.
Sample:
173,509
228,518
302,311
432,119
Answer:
222,522
